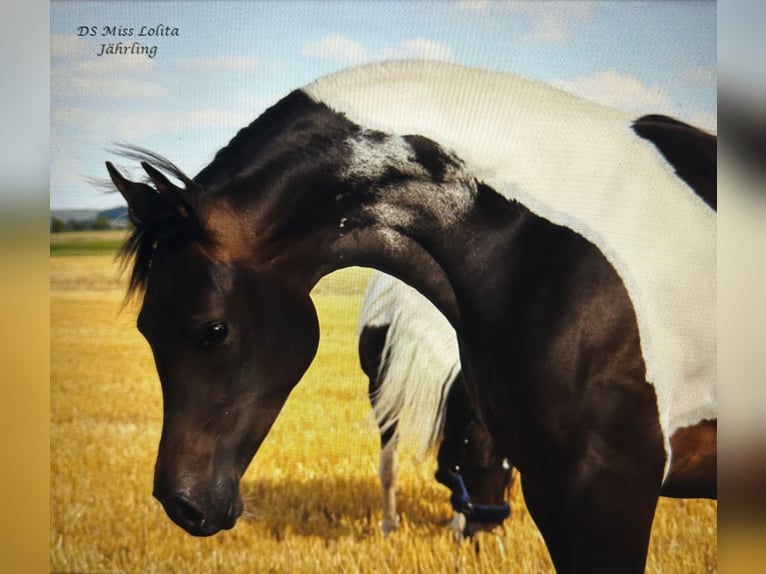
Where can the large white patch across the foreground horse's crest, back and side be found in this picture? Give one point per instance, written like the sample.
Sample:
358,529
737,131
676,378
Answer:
580,165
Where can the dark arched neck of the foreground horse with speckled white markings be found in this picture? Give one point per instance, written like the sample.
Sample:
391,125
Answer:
400,204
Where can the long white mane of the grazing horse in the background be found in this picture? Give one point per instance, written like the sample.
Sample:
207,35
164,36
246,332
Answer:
424,360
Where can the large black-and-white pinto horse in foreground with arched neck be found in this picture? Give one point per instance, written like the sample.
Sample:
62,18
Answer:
571,246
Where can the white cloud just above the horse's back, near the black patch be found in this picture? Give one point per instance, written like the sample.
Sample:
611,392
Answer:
619,91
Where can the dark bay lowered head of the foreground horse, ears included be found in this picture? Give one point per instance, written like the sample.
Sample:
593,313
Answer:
217,329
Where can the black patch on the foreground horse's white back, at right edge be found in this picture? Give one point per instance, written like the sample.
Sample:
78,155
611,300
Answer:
691,152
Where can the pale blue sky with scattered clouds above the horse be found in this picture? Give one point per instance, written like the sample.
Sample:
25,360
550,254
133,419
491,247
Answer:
211,67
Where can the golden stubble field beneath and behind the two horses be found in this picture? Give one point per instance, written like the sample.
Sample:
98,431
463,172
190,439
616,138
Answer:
311,493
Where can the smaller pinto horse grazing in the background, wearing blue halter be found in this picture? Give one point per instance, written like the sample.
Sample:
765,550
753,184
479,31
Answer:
409,352
